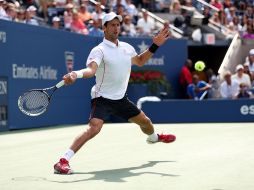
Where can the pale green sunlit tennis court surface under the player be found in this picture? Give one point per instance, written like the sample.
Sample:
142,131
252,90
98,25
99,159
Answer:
204,157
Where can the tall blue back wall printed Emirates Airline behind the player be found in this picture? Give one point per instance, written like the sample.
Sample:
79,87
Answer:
36,57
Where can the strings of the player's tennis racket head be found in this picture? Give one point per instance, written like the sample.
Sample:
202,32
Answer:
34,102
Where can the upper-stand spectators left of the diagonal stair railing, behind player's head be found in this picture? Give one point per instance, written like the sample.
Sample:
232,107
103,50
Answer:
80,16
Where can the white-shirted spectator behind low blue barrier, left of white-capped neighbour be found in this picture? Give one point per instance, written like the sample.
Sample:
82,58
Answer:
229,88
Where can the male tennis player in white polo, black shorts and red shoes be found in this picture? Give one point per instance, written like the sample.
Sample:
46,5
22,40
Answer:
111,63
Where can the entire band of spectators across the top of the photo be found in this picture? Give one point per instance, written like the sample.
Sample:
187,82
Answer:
81,16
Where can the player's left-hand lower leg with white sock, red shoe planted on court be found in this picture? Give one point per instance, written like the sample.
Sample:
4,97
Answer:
94,127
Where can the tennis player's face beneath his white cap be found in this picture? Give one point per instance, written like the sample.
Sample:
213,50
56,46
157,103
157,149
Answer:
112,30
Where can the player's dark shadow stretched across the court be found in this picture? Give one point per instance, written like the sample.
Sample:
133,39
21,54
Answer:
119,175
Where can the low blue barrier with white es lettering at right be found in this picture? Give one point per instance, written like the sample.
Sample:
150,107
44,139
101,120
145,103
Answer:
180,111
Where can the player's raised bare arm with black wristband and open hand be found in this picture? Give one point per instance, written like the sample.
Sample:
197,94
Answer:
158,40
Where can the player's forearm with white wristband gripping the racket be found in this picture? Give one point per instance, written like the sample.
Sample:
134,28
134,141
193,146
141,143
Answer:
88,72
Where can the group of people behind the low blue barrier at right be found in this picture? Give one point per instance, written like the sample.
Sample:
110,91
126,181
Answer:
233,85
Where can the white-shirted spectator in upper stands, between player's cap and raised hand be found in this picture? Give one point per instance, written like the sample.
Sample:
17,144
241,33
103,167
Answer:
145,25
